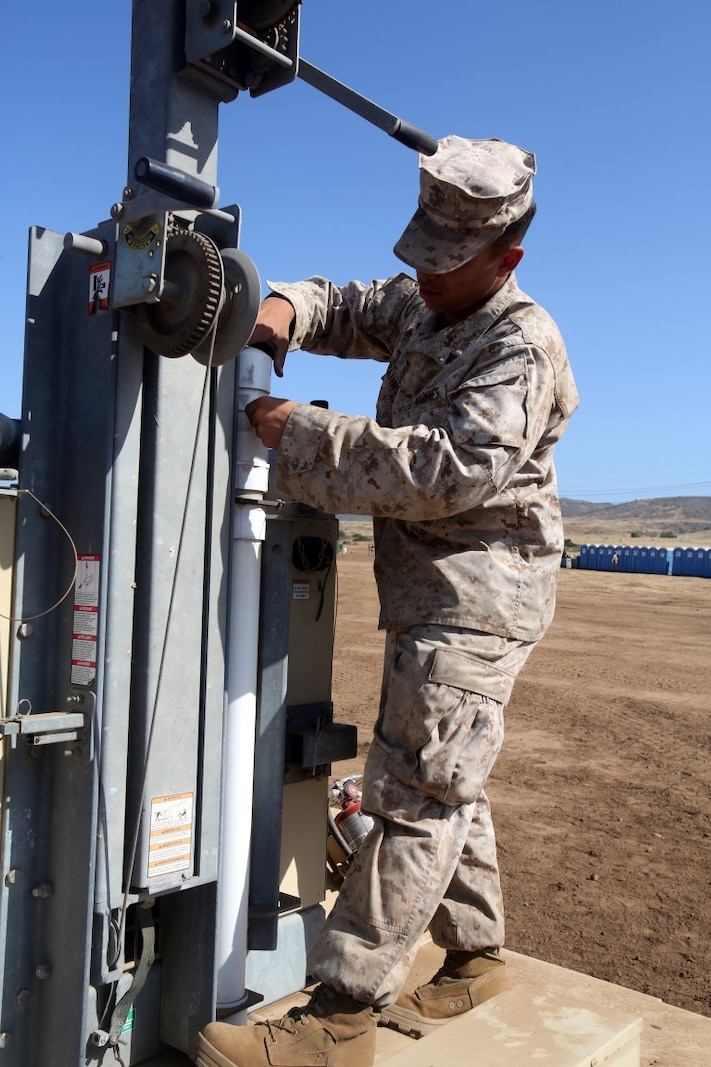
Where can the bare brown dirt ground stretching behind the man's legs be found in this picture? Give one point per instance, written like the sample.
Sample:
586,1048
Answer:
603,792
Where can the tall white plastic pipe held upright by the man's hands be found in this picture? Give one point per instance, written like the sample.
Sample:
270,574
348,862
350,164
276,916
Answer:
249,530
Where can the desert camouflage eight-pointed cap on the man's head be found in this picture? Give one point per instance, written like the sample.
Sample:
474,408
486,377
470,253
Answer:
470,192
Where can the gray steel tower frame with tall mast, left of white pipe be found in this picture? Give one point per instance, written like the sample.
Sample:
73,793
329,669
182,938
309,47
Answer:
120,690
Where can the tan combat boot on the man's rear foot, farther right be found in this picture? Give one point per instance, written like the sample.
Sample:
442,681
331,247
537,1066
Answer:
465,981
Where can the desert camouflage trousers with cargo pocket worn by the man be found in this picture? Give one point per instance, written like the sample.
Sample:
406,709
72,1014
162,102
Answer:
431,859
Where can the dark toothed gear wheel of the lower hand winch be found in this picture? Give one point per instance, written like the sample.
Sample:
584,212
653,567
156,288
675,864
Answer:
177,327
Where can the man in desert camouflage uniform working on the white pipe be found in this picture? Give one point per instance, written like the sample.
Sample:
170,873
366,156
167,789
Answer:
457,471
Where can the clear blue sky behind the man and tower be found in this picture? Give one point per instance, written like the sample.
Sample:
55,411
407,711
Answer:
613,98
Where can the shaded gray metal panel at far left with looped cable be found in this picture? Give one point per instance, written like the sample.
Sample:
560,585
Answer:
52,797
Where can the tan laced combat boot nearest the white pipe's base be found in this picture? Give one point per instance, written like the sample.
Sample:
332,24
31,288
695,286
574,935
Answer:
331,1031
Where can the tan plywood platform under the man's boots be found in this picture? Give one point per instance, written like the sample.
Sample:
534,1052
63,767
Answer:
551,1016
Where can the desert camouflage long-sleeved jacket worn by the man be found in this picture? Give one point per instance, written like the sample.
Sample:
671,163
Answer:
457,468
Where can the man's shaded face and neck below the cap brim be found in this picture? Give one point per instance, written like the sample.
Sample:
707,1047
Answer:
460,293
